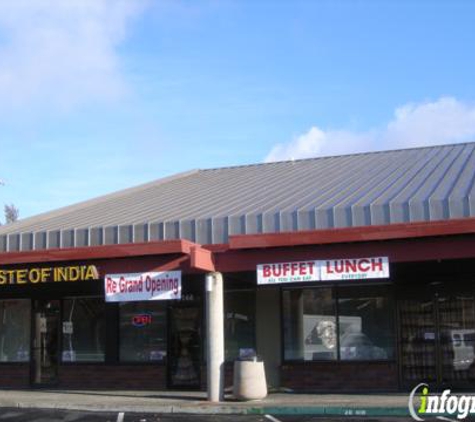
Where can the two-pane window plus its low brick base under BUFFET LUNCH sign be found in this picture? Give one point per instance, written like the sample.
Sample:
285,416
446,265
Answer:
339,337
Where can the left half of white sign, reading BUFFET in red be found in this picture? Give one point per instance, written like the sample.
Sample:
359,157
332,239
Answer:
288,272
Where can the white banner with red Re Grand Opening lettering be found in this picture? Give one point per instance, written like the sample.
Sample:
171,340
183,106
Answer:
143,286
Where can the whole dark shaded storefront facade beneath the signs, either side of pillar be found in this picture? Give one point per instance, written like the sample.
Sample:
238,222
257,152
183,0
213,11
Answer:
385,335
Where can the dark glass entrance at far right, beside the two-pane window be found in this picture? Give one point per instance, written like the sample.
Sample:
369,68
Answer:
437,325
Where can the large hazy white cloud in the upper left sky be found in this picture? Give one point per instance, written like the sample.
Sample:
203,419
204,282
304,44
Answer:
62,52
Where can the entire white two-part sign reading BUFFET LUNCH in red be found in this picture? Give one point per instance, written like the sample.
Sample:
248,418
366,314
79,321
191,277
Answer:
323,270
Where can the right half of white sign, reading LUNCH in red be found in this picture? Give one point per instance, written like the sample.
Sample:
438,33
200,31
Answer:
356,268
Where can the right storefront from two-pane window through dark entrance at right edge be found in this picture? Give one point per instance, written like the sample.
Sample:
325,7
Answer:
424,331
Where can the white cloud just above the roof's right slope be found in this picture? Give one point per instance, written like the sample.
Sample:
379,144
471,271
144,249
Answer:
446,120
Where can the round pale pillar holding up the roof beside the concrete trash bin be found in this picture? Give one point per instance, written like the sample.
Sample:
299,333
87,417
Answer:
215,336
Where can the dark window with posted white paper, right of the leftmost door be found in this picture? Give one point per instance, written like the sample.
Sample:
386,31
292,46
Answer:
83,330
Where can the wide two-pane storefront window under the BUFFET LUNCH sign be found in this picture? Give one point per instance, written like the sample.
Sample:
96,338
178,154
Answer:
358,324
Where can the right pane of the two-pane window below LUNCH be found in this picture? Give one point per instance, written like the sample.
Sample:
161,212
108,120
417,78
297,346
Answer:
365,324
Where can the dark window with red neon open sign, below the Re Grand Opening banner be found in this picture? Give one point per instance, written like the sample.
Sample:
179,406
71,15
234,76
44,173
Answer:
143,331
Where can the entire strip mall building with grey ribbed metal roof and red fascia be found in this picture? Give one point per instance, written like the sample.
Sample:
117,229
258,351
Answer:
342,273
